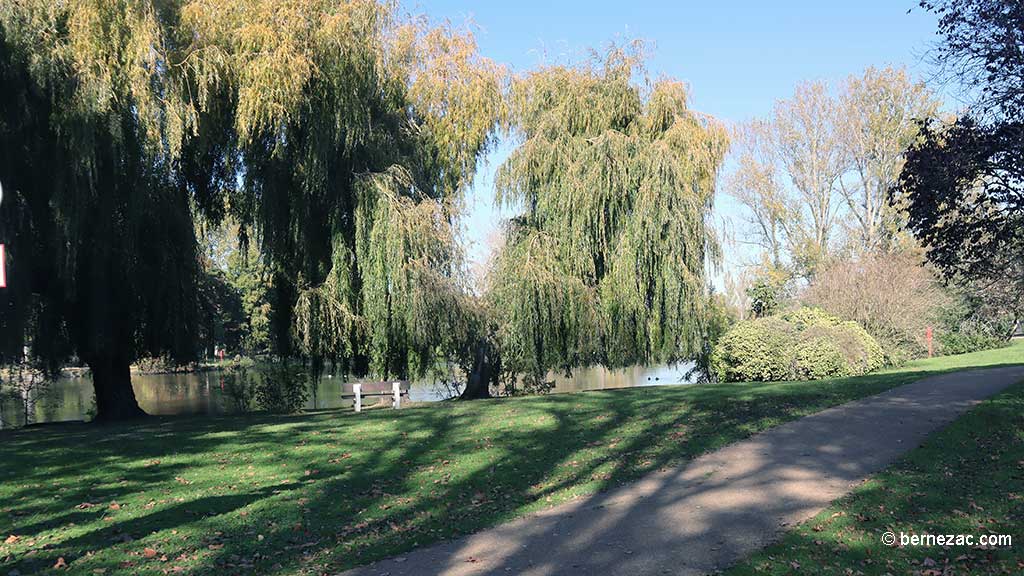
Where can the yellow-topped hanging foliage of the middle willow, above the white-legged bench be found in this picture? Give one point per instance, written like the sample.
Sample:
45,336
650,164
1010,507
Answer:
358,134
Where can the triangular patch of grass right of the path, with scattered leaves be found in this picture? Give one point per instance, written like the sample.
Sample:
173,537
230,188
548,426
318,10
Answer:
967,479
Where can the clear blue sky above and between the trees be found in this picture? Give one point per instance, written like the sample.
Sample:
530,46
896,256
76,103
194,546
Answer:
739,58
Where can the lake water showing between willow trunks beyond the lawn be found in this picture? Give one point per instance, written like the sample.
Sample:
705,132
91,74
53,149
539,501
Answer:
211,393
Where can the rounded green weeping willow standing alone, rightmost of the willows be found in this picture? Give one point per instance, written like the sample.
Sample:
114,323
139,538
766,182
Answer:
616,180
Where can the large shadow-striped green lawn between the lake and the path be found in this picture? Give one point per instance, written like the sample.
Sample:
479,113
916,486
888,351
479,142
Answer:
323,492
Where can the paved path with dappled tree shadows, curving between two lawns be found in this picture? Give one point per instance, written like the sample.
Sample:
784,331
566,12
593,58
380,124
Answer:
719,508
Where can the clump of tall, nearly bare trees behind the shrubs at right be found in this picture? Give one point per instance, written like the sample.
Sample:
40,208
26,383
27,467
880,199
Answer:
815,177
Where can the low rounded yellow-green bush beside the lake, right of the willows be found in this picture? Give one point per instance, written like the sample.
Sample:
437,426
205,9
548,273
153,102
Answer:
805,344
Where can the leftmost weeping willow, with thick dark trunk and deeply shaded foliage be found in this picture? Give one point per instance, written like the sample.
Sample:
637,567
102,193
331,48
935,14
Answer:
98,222
